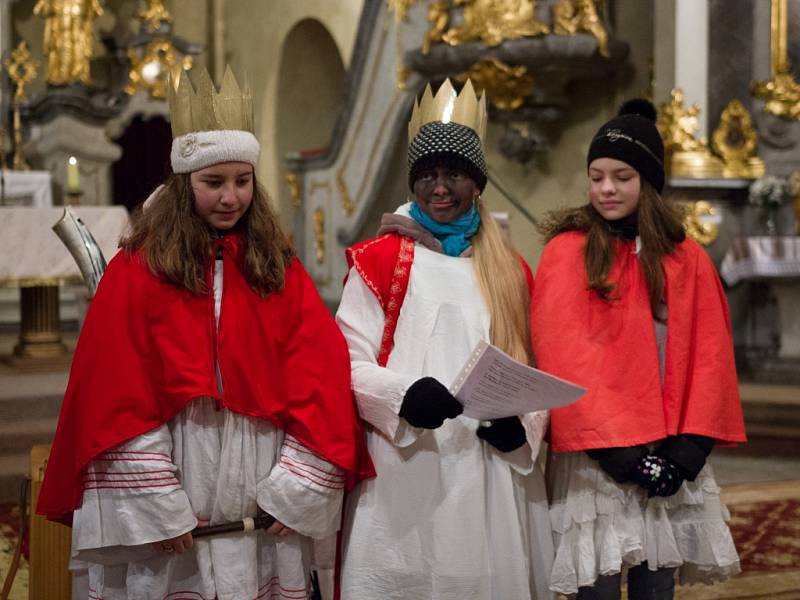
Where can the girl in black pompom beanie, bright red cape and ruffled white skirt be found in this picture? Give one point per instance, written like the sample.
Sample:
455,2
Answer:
628,307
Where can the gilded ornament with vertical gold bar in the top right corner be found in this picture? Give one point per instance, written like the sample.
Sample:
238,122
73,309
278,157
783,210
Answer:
781,93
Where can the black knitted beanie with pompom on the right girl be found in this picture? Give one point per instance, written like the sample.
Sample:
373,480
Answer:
632,137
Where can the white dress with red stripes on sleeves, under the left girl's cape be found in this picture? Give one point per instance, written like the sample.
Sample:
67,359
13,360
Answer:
210,464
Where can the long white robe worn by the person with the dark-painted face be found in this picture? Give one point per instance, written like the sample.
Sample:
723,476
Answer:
449,517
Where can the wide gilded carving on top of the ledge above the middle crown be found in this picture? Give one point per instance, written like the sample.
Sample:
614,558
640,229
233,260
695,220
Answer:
495,21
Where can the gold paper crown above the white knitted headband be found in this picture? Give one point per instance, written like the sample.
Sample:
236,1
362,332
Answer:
202,108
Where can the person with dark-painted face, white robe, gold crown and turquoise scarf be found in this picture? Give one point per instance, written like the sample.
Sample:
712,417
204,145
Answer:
458,509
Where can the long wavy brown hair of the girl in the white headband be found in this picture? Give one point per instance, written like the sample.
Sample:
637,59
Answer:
177,243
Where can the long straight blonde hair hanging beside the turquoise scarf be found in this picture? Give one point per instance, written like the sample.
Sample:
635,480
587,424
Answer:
504,287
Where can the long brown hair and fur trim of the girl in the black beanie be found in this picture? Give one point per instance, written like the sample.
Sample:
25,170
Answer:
660,229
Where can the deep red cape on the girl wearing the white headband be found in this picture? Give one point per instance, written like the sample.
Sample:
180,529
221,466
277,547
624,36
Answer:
148,347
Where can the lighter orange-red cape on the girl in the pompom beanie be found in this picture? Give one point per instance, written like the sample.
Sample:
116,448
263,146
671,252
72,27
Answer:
610,348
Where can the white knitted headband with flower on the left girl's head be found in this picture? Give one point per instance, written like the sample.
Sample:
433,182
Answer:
201,149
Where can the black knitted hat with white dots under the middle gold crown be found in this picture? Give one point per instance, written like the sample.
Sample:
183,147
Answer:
446,144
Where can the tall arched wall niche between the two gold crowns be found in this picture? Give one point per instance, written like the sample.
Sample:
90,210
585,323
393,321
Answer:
311,86
